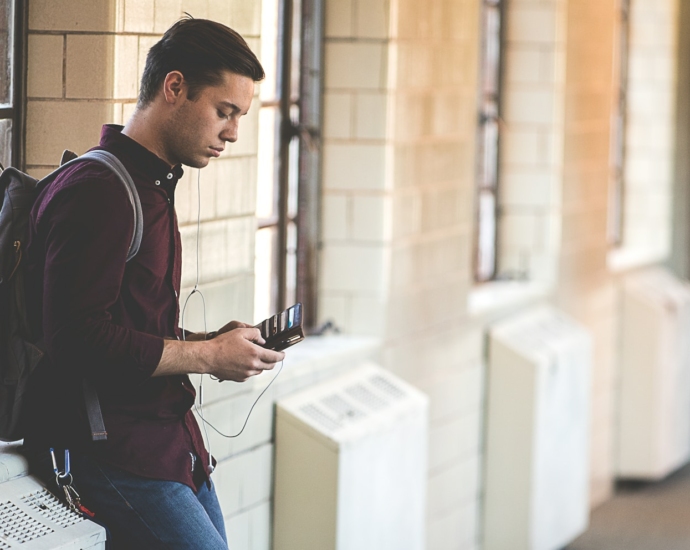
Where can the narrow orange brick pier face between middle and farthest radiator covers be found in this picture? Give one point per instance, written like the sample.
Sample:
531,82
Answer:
586,288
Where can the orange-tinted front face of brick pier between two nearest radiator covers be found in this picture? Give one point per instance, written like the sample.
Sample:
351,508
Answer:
429,339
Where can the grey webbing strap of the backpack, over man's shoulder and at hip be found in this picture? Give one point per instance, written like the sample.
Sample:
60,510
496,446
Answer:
93,405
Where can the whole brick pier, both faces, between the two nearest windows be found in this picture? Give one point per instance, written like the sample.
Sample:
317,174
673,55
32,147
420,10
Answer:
398,186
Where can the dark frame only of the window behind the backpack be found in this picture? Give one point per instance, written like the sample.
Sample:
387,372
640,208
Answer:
17,112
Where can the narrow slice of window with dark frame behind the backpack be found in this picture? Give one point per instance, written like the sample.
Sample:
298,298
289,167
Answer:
12,48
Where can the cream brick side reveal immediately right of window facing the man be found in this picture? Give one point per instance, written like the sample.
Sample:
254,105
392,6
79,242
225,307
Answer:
356,203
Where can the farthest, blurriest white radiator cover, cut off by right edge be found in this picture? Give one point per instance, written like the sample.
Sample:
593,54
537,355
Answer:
654,399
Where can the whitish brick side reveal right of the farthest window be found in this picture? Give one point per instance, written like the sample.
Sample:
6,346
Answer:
649,138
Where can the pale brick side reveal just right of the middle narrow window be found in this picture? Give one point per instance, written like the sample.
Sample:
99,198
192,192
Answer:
532,145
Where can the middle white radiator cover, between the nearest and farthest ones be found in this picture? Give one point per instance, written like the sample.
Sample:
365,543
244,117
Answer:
537,433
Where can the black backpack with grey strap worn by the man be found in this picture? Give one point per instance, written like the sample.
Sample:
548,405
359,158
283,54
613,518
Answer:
19,350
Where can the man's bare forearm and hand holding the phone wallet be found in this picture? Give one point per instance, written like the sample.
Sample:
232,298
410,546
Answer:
236,355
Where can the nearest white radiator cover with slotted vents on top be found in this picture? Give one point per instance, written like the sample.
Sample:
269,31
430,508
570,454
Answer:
351,465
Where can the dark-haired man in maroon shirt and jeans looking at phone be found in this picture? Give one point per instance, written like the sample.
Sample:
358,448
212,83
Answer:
116,322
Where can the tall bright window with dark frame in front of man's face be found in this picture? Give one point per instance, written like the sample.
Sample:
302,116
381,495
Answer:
288,157
